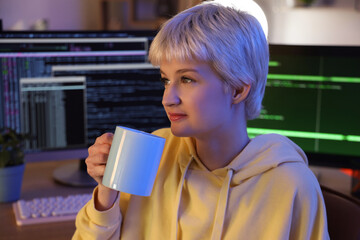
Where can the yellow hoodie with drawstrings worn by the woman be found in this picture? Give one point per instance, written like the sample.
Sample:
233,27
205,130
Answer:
266,192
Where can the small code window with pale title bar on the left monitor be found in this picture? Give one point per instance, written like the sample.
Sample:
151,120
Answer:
53,107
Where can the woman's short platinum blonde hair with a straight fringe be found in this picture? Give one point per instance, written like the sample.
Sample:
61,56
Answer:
232,42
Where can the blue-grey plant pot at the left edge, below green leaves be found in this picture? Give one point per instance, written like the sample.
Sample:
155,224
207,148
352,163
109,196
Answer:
10,182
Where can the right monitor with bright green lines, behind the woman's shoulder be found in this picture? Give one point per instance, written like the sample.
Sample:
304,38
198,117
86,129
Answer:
312,96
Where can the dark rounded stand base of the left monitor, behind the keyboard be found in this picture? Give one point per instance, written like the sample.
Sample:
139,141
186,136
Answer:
74,174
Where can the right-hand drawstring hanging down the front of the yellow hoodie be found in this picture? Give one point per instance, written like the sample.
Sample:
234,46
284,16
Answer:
221,207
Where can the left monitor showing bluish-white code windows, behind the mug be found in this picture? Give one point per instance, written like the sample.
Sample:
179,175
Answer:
67,88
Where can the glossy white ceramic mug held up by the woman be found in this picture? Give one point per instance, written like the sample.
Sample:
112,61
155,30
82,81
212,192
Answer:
133,161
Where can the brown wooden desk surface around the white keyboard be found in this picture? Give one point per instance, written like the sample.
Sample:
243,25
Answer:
38,182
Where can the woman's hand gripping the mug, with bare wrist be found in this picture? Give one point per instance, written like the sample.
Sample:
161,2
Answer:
96,162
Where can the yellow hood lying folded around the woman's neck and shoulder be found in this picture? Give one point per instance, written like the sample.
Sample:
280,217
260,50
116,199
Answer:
262,153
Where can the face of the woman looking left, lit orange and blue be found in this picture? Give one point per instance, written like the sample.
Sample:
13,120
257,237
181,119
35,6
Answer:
194,99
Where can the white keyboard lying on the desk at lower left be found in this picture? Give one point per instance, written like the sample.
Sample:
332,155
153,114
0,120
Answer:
50,209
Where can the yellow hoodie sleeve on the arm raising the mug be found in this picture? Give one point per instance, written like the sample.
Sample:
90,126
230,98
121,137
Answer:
93,224
